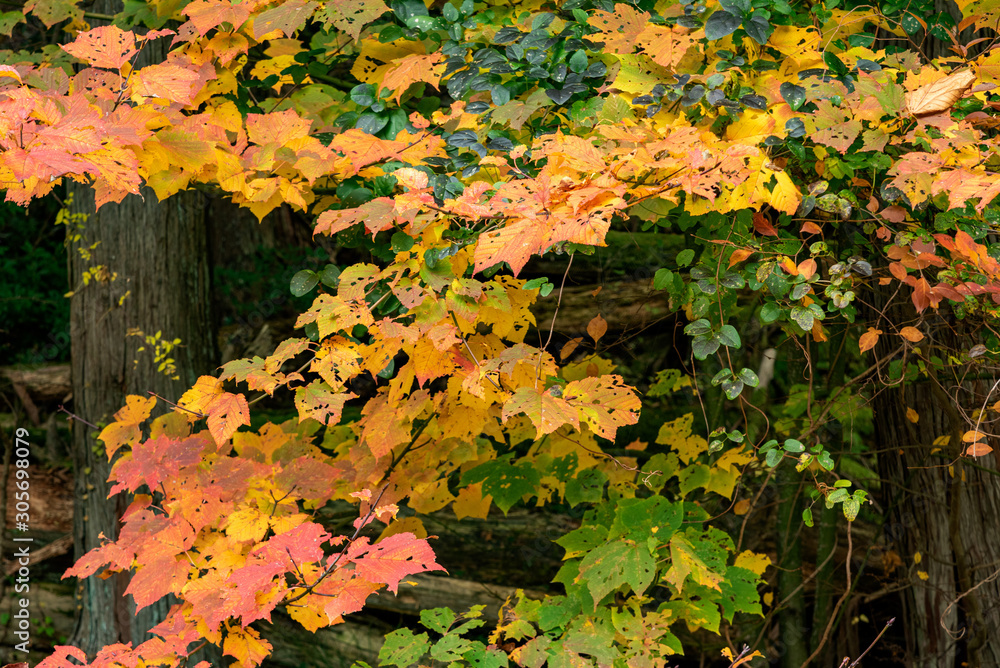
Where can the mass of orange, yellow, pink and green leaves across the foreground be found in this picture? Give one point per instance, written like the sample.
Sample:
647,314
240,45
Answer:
471,138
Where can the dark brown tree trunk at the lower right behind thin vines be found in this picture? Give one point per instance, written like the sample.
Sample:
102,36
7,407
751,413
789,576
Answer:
943,509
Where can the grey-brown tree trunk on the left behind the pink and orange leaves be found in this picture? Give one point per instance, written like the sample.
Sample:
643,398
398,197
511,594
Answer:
157,253
